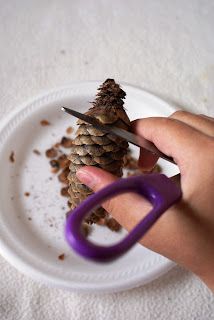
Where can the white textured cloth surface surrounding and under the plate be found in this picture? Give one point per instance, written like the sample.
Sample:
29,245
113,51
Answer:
166,47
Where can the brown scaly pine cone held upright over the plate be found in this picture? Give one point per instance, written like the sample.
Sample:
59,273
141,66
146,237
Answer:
95,148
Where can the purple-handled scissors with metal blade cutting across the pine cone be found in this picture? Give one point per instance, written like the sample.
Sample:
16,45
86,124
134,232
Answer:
158,189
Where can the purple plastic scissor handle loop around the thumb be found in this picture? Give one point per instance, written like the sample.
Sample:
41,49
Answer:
156,188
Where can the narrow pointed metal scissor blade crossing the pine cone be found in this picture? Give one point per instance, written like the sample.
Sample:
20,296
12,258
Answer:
126,135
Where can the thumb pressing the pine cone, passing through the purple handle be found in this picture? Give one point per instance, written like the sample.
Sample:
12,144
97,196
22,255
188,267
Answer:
121,207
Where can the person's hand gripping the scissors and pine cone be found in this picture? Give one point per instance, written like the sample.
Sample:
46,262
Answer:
185,233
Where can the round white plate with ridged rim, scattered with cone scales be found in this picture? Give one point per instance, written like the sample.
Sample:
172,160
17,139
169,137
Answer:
33,246
